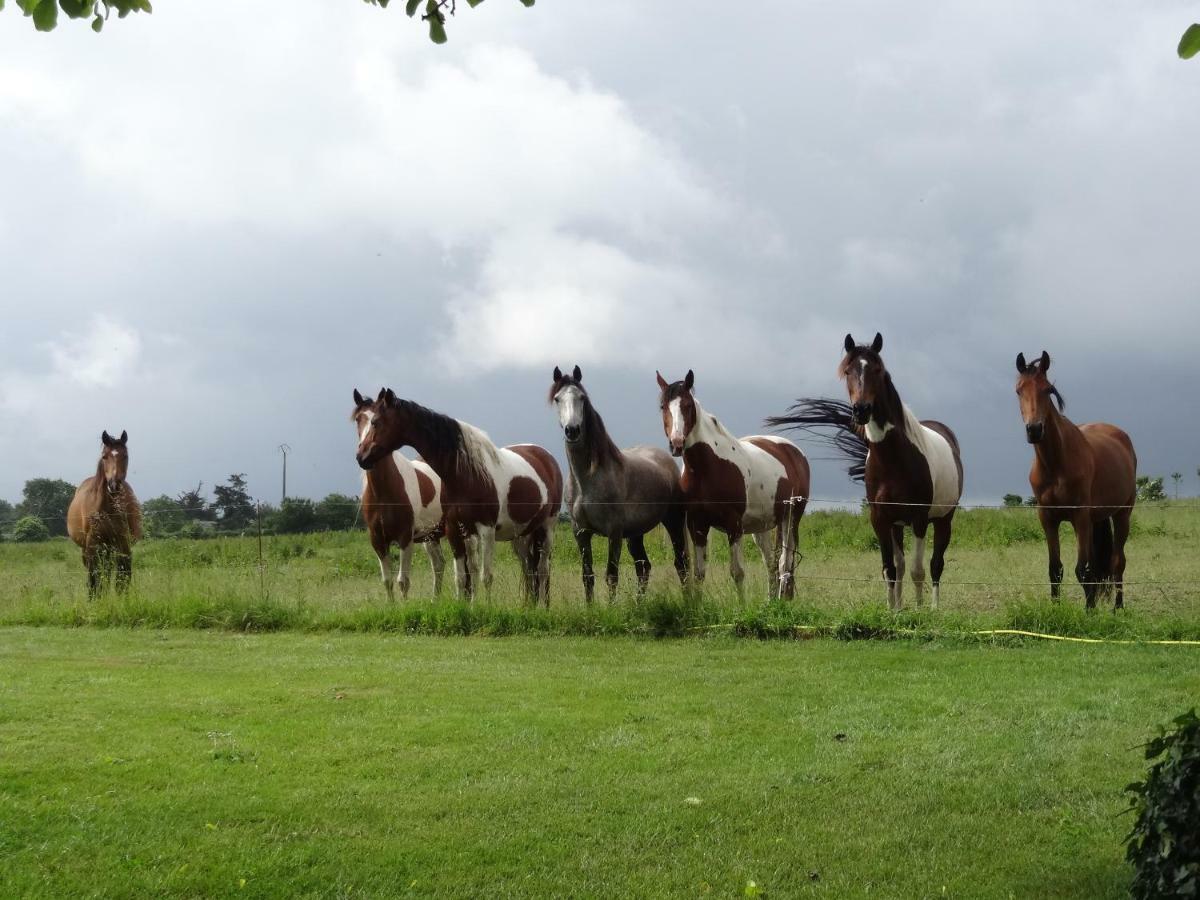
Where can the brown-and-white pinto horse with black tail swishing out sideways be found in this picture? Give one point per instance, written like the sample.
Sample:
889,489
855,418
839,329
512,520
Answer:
913,470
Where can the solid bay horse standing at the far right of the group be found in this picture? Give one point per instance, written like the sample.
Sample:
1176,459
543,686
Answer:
1084,475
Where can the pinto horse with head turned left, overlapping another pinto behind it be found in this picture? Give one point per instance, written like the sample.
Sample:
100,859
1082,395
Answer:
489,494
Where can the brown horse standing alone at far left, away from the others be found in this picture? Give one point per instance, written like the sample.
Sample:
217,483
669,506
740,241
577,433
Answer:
105,518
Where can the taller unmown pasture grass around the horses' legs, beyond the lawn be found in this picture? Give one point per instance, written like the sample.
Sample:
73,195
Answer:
995,578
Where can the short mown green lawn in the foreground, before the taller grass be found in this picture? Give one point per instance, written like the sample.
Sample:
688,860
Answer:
195,764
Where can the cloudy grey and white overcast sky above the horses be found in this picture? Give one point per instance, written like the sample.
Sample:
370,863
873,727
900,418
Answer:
214,225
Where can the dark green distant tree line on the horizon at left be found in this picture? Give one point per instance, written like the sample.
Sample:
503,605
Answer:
43,512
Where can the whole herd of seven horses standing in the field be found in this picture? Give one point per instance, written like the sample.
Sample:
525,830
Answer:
475,494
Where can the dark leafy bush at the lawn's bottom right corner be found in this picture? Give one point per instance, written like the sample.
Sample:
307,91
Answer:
1165,844
